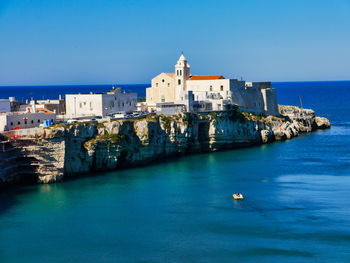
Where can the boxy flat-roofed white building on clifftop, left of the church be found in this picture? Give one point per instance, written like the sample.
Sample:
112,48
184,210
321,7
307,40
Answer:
99,104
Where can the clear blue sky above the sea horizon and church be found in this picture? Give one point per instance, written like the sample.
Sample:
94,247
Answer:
44,42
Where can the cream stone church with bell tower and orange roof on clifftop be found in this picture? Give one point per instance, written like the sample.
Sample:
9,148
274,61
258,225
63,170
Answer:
183,92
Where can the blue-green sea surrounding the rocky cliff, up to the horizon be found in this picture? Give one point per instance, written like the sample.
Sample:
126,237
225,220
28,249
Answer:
296,206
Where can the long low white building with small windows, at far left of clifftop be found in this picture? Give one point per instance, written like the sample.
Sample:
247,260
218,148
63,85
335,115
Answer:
9,121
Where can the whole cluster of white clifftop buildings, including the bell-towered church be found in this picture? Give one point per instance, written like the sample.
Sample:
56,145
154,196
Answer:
169,93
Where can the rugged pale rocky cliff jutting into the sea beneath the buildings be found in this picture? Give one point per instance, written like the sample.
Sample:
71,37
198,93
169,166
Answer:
61,151
